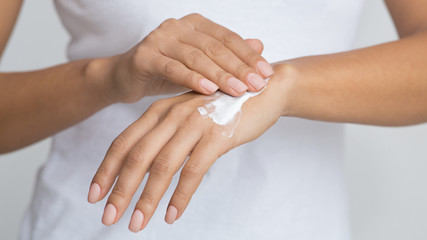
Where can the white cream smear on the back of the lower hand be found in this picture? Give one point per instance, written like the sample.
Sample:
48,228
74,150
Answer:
225,110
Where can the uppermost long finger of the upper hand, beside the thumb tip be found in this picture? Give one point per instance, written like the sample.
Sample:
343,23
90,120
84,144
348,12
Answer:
232,41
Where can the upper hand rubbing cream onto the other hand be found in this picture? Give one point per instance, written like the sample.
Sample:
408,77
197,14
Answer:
191,52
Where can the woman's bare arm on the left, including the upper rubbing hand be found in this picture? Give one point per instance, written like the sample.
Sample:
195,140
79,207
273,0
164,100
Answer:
38,104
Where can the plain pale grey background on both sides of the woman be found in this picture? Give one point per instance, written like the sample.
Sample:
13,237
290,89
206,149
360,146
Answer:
385,167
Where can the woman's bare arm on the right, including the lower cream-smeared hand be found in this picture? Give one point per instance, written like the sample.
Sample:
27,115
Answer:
380,85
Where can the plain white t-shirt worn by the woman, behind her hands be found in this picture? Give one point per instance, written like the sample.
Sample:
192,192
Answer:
287,184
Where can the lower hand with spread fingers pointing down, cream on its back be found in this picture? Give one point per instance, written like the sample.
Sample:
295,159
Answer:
169,131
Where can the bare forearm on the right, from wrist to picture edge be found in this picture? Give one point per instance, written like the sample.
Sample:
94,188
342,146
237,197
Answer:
380,85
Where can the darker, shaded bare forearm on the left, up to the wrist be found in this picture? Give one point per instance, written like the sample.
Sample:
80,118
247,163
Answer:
35,105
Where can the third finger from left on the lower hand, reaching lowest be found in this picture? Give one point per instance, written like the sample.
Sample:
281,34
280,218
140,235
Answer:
166,164
